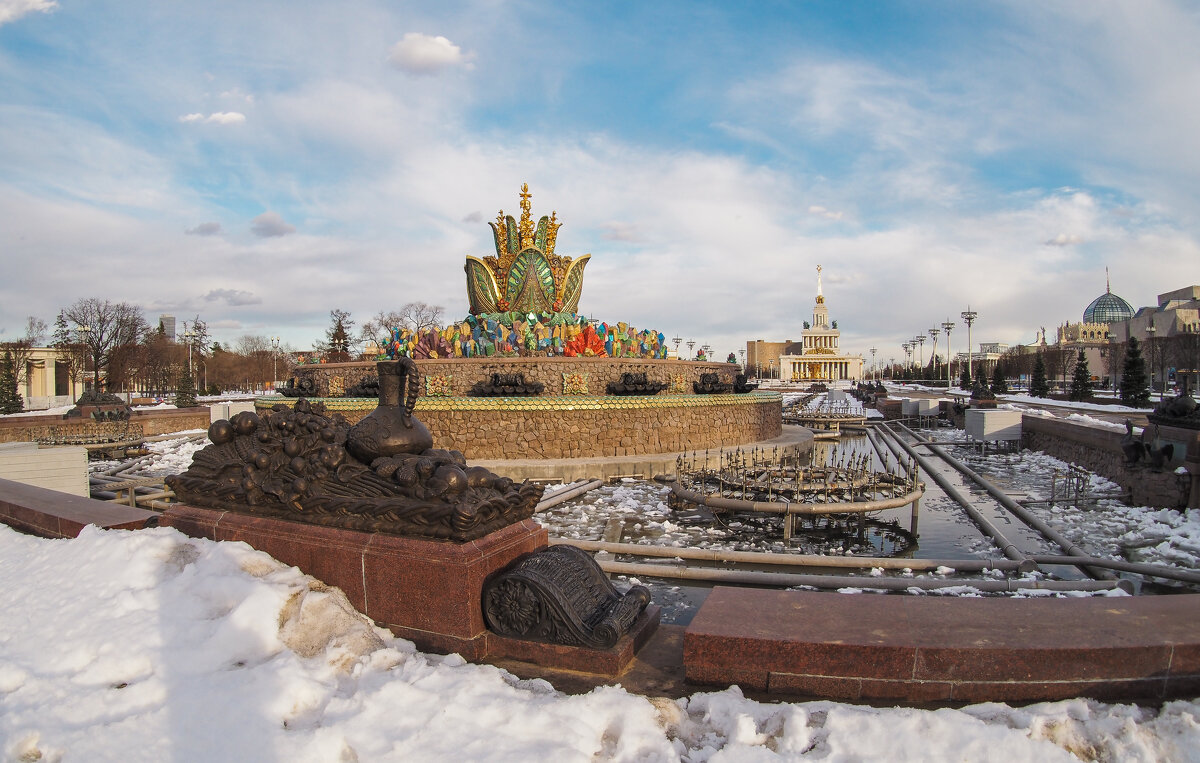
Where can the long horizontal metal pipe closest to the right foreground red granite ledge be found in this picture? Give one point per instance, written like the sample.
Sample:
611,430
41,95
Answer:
845,581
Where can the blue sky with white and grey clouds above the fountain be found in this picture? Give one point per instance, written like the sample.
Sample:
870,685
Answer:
261,165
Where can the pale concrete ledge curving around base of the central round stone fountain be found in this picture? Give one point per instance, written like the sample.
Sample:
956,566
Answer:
797,440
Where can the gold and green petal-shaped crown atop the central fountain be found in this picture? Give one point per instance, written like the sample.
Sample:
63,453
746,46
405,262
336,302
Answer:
526,275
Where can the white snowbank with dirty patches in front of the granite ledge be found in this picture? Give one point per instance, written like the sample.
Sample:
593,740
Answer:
152,646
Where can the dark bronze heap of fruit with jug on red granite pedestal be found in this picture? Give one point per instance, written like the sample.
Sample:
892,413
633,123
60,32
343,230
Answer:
380,476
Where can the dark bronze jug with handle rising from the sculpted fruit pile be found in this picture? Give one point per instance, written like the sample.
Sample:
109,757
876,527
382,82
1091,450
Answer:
391,430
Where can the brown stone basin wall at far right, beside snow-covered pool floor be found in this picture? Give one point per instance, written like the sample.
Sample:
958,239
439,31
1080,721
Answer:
1100,450
